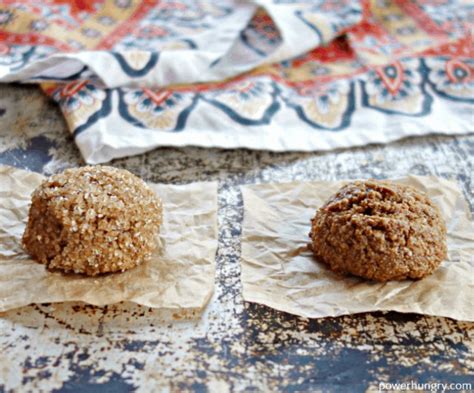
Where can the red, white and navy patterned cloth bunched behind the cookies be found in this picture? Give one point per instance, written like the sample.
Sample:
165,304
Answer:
263,74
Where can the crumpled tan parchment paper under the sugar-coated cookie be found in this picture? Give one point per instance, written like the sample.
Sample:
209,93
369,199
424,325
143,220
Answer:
179,277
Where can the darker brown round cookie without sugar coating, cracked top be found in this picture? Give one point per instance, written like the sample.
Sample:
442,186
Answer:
379,230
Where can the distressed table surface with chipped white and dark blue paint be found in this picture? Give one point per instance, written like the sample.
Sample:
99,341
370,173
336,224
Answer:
234,346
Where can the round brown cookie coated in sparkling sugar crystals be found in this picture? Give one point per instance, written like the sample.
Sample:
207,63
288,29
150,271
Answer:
92,220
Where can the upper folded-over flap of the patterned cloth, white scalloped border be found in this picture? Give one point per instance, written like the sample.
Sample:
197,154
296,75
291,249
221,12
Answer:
157,44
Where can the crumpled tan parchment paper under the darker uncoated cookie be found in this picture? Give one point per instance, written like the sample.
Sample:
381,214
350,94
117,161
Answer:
279,271
